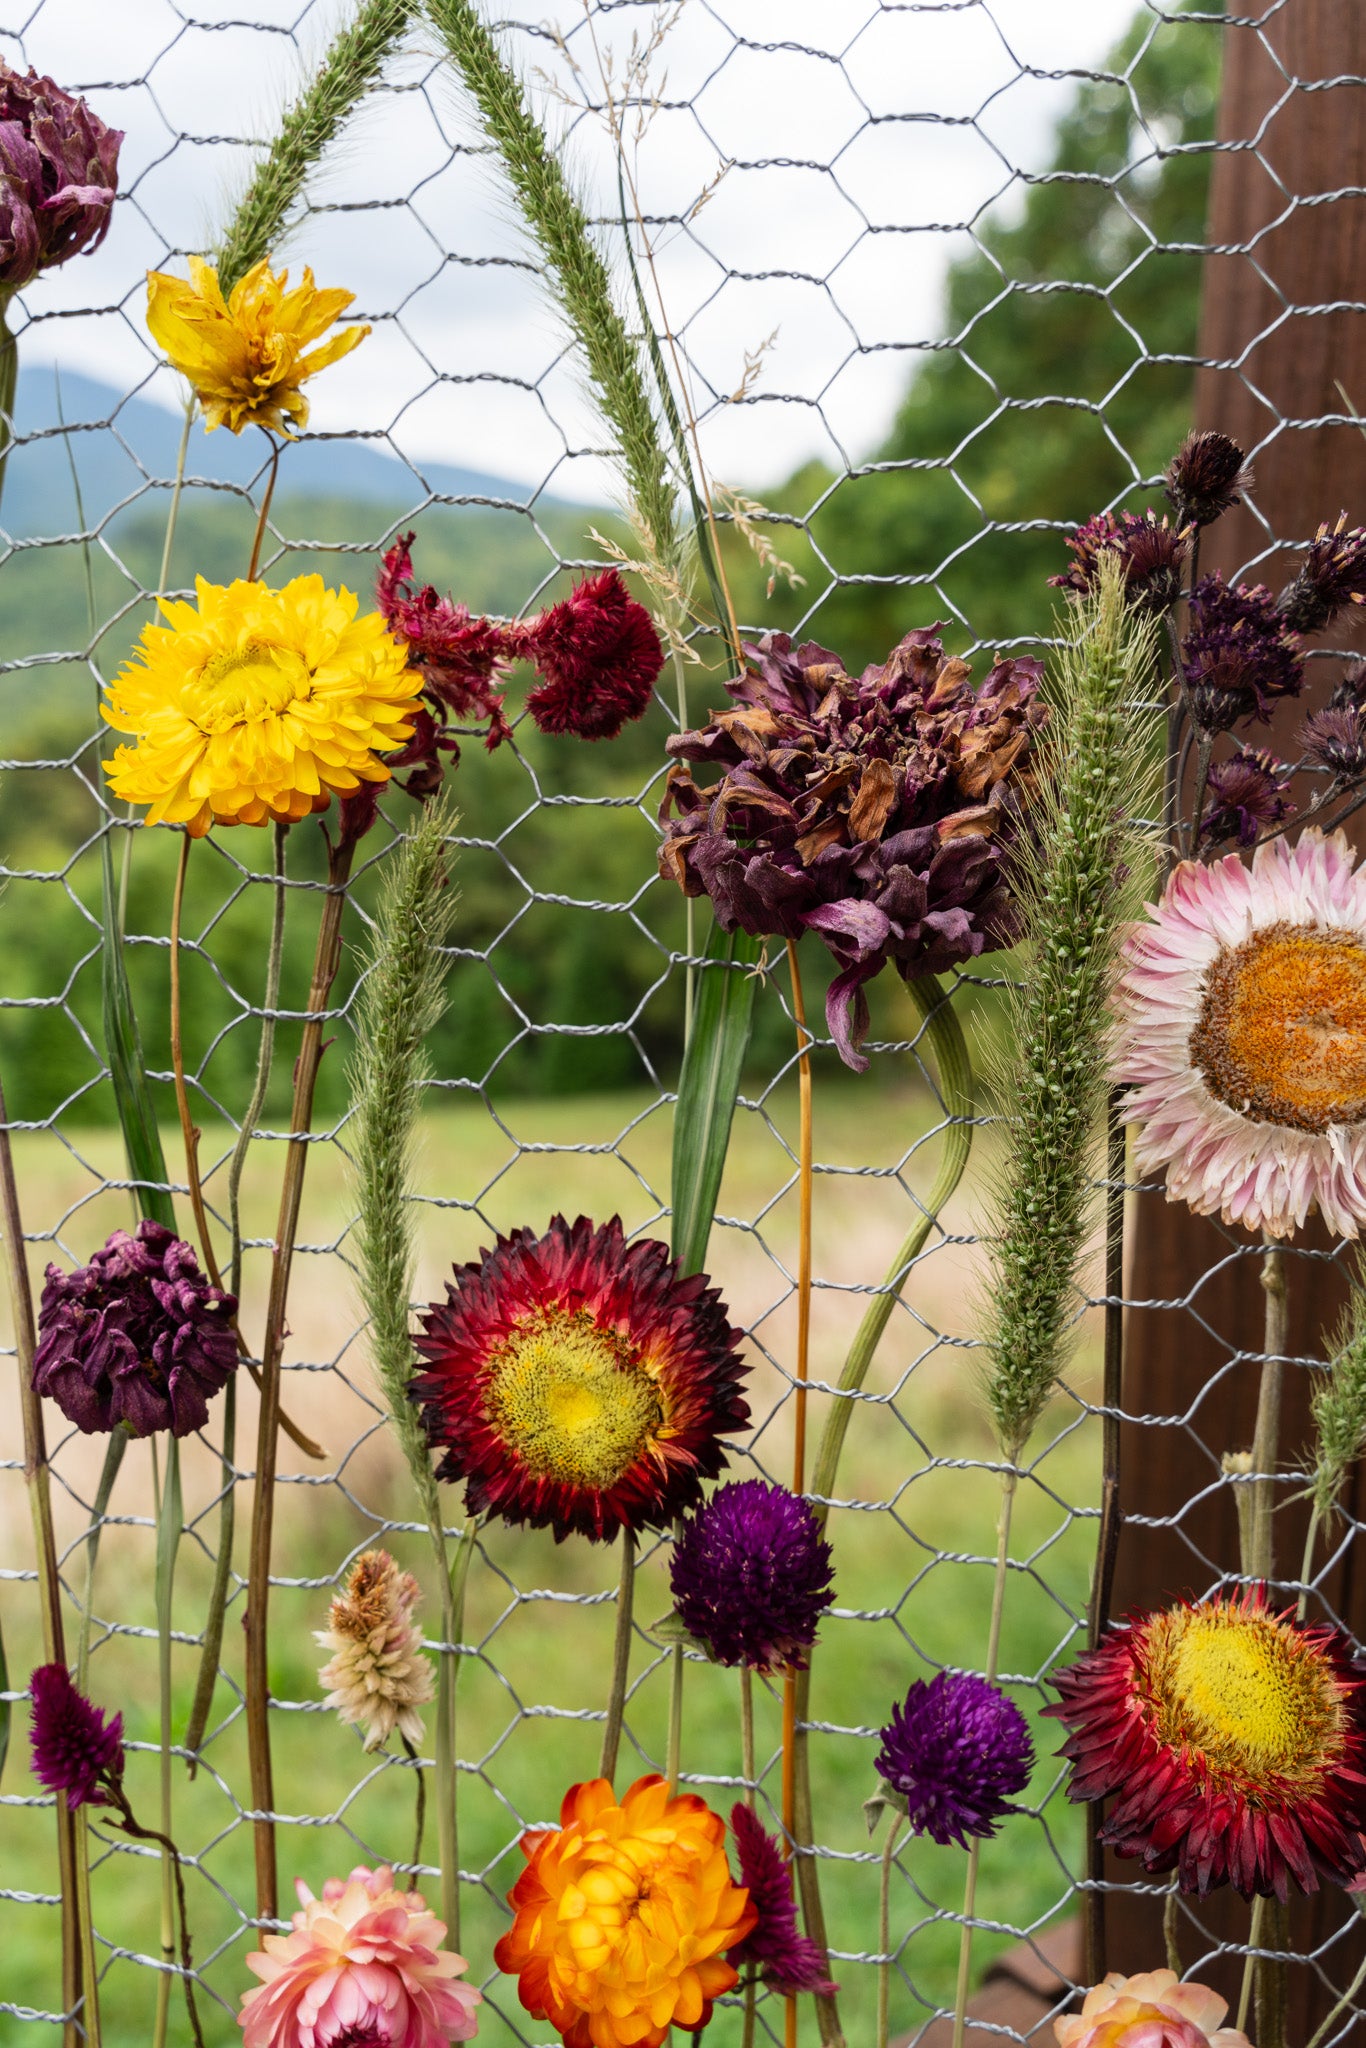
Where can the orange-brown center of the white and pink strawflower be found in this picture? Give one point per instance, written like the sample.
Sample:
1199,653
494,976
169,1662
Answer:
1283,1027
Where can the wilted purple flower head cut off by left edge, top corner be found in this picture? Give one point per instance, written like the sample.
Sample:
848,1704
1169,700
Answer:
58,177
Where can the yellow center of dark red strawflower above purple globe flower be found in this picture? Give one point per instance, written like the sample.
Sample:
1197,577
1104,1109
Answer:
574,1400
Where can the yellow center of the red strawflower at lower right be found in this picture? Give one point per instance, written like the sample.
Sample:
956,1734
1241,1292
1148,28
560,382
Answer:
1246,1693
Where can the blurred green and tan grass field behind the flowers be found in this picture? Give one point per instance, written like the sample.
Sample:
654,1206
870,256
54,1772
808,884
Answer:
912,1555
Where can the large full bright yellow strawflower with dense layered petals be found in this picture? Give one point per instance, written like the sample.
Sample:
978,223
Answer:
257,703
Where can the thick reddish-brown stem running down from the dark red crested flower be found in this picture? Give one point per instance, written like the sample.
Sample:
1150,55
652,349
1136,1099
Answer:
257,1691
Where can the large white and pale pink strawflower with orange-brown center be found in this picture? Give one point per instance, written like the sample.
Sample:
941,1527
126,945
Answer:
1242,1037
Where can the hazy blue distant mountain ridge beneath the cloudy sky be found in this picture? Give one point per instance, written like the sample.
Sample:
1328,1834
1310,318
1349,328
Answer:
122,443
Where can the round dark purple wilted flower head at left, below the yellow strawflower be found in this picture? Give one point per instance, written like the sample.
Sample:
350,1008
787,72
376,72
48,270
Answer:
136,1338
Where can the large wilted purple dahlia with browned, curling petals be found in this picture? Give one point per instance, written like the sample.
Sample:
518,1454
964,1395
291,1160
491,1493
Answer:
873,812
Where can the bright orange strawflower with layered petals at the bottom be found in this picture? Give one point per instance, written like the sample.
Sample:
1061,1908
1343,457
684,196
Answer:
624,1914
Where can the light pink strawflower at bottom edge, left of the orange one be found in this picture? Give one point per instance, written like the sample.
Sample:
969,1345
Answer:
364,1969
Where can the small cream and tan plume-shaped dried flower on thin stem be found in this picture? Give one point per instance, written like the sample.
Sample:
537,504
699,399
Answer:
378,1674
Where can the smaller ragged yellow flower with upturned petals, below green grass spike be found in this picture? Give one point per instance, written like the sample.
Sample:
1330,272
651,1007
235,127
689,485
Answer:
247,353
